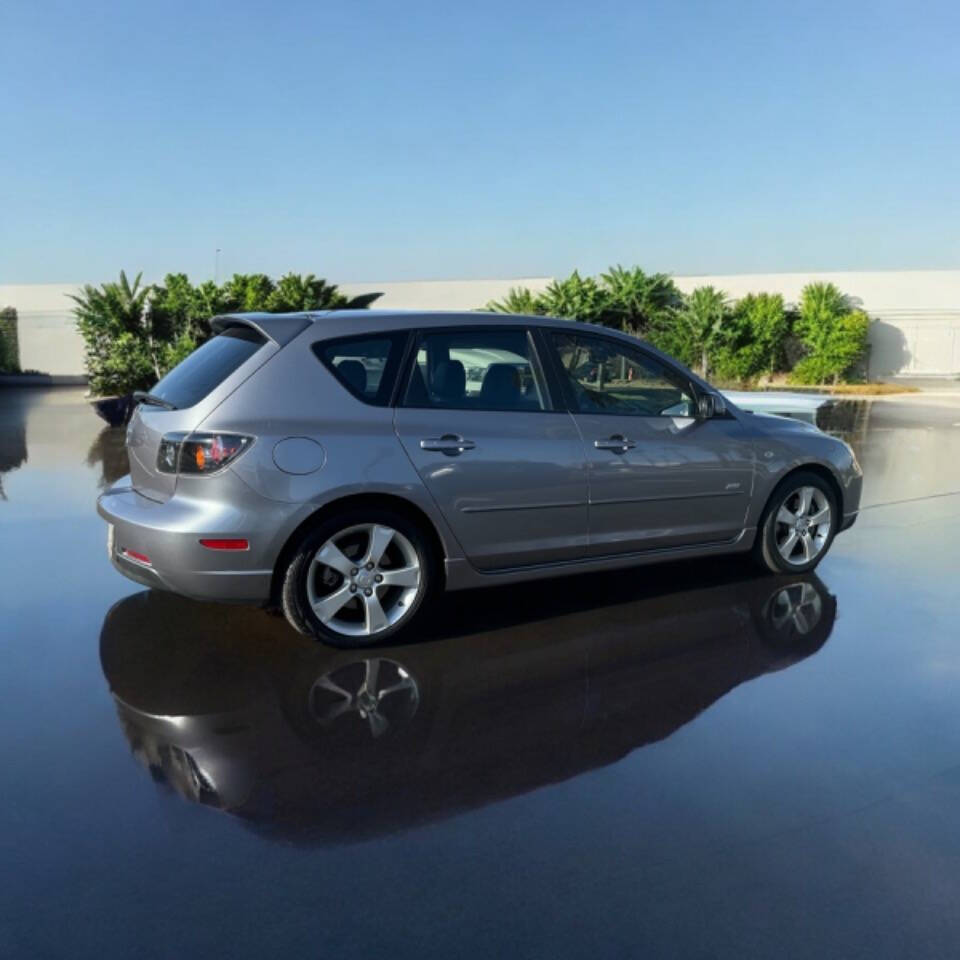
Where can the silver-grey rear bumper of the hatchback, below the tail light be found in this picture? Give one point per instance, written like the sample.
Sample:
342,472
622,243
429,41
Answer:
167,537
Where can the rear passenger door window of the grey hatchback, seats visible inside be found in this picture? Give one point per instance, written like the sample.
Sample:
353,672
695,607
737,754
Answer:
476,370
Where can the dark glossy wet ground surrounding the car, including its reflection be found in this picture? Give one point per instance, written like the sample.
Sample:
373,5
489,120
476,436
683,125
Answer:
684,762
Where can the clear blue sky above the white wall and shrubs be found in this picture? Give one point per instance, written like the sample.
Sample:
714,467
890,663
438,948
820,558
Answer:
390,141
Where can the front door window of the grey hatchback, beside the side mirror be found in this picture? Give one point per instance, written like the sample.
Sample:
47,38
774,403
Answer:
605,377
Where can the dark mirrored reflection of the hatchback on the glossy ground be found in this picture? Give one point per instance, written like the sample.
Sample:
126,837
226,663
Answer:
285,733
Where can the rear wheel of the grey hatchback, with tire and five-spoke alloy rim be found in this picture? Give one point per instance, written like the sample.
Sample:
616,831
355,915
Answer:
339,589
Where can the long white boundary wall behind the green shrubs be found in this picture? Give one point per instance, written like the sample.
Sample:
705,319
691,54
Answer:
917,312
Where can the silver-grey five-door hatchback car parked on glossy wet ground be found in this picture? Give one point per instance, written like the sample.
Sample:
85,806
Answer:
346,465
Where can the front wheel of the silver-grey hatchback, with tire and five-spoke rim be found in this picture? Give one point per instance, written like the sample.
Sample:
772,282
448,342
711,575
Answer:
773,549
